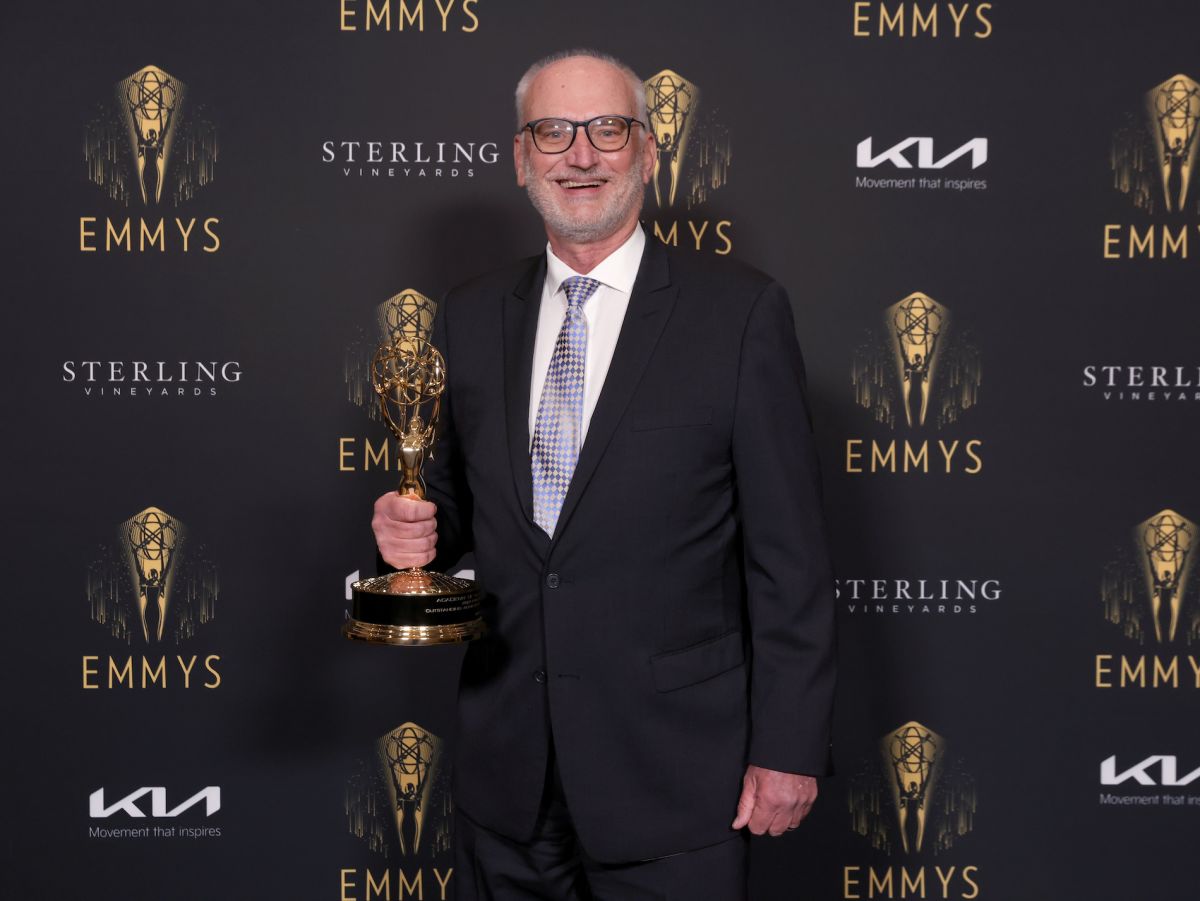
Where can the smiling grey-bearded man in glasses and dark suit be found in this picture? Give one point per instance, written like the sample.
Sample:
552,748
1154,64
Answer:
627,450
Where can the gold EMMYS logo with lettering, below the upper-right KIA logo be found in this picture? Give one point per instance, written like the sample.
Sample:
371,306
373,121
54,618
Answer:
916,373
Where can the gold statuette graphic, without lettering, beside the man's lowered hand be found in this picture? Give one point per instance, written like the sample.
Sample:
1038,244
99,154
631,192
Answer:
932,798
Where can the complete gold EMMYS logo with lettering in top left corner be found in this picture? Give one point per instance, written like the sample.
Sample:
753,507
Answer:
152,148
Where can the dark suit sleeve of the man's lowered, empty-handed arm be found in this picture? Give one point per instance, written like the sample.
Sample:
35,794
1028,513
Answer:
785,548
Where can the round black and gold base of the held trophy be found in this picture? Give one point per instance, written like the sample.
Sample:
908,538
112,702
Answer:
415,609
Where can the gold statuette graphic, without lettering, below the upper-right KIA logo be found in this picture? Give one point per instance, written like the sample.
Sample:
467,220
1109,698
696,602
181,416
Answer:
911,371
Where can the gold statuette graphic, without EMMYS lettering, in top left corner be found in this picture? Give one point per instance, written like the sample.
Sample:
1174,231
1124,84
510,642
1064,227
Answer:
148,146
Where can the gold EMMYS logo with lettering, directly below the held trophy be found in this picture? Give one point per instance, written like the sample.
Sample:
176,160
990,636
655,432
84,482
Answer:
398,802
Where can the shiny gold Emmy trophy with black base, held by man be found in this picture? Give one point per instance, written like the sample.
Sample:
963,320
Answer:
413,608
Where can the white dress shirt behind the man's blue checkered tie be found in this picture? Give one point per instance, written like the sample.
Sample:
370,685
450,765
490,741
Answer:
604,314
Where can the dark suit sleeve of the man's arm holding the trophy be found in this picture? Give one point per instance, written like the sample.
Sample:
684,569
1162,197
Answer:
446,480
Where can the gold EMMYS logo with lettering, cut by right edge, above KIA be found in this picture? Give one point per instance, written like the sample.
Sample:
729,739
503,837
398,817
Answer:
1148,593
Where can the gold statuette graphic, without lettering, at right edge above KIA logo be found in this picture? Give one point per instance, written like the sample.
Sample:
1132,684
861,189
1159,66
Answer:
1145,588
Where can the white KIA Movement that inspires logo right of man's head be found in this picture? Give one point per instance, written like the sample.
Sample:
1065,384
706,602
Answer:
909,154
